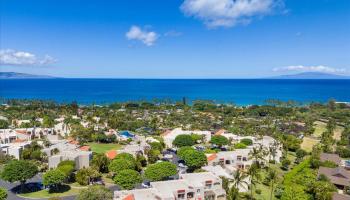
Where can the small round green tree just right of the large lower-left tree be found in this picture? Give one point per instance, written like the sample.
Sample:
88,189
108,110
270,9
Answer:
53,179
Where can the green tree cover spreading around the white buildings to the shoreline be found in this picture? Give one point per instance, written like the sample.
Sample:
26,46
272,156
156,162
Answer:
304,132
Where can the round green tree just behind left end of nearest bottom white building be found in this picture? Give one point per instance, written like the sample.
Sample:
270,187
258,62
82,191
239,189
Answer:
127,179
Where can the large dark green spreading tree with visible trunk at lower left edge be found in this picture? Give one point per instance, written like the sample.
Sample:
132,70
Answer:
19,170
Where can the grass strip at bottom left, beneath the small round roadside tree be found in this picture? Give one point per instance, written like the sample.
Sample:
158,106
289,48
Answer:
45,194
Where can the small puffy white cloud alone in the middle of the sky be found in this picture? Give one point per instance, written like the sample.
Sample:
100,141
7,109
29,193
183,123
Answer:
146,37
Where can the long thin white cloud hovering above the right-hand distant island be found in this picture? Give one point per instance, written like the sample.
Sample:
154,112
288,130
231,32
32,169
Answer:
319,68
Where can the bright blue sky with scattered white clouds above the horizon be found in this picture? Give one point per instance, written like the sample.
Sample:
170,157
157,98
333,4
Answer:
174,38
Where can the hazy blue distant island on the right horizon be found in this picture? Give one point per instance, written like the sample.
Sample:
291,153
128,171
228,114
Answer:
311,75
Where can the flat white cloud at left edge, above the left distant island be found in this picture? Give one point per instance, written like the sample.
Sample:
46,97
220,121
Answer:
22,58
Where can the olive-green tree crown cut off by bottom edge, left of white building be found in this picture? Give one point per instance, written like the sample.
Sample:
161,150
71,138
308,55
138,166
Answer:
95,192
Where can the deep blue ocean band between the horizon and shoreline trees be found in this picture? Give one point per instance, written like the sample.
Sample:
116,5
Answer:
238,91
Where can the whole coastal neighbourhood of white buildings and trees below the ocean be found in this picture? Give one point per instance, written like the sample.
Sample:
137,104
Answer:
161,151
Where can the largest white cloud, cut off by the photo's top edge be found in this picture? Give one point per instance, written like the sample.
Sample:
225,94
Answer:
228,13
